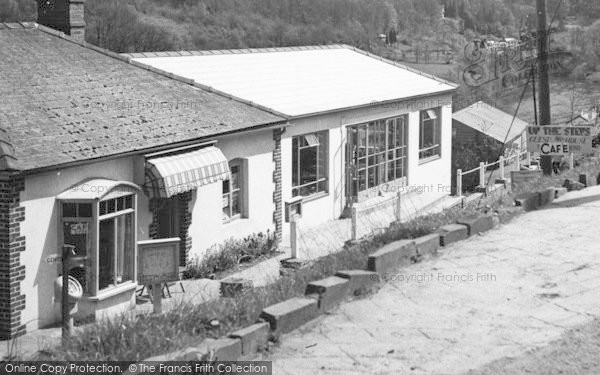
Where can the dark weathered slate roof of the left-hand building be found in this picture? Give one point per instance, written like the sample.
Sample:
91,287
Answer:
62,101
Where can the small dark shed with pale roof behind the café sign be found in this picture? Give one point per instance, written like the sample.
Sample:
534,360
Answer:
481,120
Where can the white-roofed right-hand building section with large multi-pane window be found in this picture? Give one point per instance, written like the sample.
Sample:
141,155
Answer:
357,122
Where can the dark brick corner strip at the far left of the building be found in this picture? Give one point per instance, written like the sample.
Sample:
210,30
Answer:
12,243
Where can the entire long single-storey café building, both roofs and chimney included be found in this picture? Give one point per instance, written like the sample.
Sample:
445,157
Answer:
102,151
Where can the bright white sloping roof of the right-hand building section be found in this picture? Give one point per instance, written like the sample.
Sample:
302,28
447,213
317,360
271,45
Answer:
299,81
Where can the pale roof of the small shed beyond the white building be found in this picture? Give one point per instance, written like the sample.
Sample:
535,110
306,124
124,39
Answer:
491,121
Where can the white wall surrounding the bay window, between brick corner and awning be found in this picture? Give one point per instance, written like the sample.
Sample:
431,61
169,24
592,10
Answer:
40,229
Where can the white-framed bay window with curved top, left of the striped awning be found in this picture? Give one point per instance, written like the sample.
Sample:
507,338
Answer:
98,217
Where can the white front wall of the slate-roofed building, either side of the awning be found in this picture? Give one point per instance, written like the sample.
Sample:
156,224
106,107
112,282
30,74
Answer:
29,224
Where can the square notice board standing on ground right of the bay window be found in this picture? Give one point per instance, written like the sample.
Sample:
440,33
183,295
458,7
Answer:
158,261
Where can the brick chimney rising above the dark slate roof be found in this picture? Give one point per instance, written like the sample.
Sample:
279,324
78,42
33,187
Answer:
63,15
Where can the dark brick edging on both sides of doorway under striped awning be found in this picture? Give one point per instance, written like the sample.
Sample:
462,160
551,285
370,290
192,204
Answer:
185,220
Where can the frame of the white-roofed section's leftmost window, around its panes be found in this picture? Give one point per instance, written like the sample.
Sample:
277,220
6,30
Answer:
297,167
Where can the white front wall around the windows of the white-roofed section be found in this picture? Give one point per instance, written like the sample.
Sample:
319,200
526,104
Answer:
436,173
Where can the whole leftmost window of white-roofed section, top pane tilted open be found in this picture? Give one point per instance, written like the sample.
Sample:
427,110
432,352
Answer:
309,164
